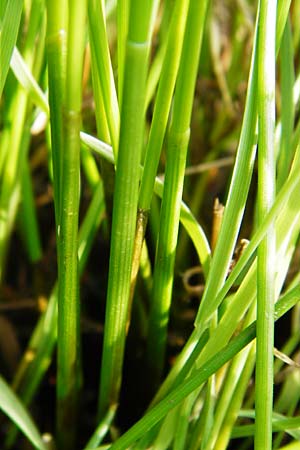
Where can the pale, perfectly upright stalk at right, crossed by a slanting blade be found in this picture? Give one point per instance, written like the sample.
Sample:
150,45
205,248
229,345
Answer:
267,248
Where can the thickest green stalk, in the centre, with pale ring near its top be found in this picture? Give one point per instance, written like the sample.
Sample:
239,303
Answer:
125,202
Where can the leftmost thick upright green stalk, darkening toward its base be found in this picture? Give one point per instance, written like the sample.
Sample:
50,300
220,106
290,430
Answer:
69,372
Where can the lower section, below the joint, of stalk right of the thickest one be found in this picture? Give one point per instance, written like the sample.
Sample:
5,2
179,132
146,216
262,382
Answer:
165,256
